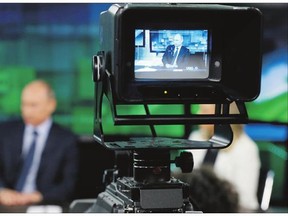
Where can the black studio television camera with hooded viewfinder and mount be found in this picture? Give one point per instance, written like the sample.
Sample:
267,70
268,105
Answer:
224,66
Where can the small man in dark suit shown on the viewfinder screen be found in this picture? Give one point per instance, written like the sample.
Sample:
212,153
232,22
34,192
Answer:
176,55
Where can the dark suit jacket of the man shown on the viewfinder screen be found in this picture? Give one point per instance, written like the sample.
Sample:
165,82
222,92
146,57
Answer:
183,56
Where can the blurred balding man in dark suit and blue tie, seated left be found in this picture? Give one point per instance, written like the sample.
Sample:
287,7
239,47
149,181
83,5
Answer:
38,158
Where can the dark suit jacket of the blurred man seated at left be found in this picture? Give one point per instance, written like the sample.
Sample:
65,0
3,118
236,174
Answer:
58,166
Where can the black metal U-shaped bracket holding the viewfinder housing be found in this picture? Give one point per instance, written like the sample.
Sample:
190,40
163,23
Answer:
221,119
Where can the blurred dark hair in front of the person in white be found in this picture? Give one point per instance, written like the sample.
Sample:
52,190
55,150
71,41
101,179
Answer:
210,194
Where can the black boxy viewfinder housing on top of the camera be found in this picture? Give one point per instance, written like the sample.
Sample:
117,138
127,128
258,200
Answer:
232,52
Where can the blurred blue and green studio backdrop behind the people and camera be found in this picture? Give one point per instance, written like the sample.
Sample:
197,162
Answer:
56,42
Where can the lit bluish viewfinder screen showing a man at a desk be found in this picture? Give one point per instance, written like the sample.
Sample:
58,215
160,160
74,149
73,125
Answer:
171,54
